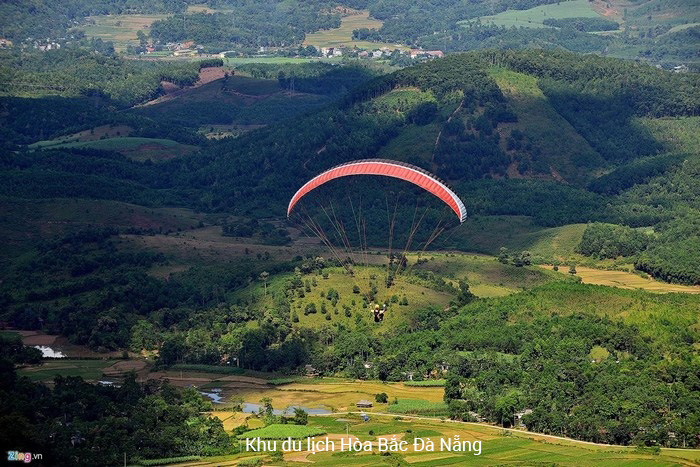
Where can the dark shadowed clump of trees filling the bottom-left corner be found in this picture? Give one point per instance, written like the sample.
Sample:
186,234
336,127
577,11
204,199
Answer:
74,421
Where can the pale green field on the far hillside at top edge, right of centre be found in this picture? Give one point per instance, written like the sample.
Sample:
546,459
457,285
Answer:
534,17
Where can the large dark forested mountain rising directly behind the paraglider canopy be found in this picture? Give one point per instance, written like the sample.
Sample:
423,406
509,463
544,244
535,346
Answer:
471,106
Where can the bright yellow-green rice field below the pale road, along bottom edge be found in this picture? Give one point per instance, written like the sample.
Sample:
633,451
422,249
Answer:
495,446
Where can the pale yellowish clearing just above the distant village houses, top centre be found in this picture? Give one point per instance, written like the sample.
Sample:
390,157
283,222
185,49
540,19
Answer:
342,36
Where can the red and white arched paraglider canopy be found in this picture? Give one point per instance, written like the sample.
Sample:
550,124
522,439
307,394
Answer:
386,168
